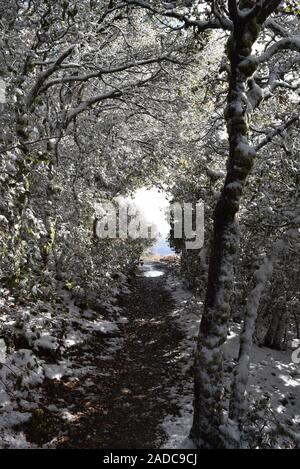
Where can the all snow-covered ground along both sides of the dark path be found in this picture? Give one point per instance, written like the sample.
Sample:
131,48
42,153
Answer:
44,333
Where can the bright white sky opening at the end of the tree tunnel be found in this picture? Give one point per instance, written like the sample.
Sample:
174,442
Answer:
153,204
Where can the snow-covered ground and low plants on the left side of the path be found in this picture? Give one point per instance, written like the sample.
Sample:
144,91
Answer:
44,333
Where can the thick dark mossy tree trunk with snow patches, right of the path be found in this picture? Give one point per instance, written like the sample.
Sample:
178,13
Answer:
209,429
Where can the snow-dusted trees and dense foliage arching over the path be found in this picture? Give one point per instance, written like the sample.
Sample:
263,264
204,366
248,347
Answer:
198,98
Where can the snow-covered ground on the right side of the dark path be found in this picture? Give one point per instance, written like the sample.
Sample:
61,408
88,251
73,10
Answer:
274,381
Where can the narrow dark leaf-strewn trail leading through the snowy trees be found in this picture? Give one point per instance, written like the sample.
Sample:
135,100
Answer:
123,401
